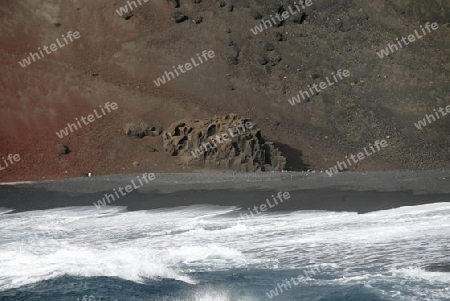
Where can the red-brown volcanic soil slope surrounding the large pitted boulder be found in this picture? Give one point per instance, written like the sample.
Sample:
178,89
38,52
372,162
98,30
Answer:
39,100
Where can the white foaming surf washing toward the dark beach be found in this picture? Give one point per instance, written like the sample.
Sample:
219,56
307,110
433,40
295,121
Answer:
171,243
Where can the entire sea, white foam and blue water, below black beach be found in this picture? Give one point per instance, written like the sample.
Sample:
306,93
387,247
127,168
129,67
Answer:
209,253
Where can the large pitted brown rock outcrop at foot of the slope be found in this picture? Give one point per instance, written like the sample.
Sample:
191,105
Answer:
226,142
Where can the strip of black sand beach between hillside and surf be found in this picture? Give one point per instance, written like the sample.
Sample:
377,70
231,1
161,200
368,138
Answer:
356,192
